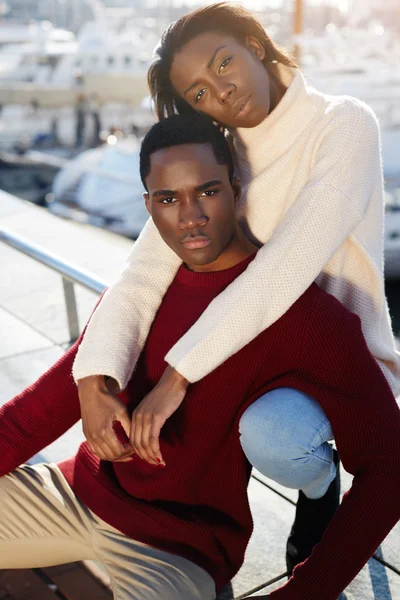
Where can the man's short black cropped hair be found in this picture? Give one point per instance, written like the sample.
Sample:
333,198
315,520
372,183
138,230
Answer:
177,130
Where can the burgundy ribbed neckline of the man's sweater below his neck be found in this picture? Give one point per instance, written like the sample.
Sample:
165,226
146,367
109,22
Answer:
212,280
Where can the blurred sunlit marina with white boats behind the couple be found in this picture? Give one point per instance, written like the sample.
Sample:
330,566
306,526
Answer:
74,100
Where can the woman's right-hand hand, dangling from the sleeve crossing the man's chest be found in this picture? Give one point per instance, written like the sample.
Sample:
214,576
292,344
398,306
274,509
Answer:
151,414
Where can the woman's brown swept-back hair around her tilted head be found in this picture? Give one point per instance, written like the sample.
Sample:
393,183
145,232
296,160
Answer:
224,18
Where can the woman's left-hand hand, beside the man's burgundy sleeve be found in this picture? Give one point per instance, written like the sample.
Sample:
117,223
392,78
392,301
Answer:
101,413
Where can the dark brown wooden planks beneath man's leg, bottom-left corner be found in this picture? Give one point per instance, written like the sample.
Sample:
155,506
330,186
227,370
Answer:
74,581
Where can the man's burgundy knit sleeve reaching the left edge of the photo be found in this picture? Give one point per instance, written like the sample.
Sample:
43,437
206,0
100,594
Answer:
39,415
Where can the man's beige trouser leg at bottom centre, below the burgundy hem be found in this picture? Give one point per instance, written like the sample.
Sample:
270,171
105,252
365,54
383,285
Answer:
141,572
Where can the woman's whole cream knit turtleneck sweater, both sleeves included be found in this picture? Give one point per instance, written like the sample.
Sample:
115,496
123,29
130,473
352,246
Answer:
313,197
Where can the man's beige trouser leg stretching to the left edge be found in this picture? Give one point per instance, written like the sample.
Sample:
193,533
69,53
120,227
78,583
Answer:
41,521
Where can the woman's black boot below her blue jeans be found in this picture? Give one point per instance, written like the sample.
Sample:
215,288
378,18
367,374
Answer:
312,518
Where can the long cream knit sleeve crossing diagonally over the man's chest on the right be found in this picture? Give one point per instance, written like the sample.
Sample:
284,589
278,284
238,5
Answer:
347,173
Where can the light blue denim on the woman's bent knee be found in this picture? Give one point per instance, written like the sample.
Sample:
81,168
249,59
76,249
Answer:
284,435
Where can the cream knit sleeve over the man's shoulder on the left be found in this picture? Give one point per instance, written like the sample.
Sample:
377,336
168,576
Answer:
119,326
